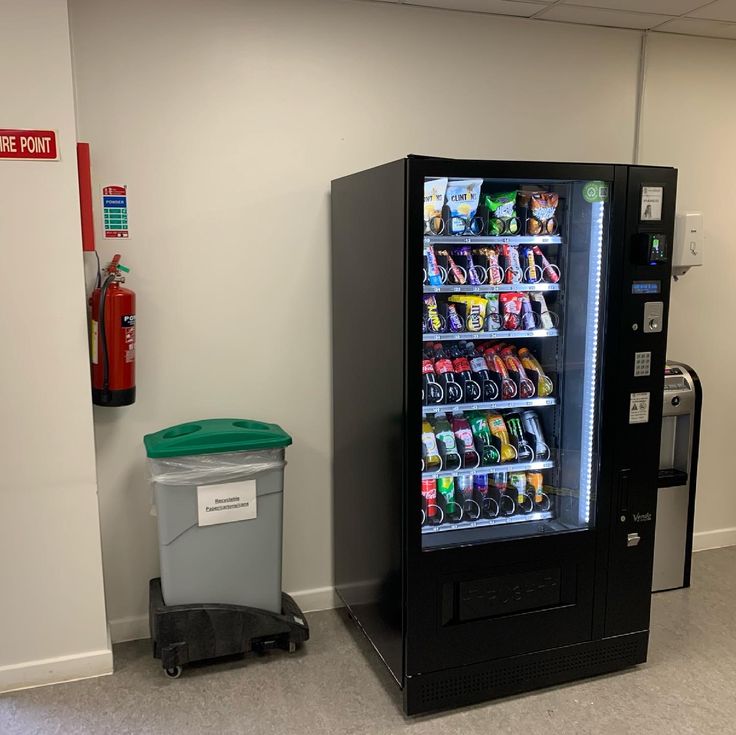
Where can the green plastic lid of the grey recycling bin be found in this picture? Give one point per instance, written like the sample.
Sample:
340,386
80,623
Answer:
215,435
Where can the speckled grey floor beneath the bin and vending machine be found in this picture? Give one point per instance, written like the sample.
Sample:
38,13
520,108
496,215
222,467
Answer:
335,686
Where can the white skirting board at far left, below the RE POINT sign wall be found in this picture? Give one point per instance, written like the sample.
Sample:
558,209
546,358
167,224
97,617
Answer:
43,672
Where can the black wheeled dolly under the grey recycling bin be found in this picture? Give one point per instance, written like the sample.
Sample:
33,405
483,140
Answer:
183,634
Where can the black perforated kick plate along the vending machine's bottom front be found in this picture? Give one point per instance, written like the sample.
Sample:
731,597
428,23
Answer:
504,677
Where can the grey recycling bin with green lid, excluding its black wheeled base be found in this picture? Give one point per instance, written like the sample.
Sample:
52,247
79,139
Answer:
218,489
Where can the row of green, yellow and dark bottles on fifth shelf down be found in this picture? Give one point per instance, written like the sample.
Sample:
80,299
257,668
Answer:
481,439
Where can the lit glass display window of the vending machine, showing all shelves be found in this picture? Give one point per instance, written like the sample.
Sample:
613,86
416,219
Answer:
513,284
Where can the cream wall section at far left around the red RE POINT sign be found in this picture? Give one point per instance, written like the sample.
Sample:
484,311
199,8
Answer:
52,615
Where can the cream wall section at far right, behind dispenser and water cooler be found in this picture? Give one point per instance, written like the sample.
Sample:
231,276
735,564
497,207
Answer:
689,115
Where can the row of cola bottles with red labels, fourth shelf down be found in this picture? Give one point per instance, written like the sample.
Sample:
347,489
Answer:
462,372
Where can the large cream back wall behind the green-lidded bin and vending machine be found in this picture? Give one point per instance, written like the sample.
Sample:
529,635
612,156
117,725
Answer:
228,119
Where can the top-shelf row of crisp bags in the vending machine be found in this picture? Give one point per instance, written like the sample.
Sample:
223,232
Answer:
460,207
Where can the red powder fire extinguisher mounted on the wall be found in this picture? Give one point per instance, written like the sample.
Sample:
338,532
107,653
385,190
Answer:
112,342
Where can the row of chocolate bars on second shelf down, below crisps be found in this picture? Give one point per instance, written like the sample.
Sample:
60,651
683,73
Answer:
508,263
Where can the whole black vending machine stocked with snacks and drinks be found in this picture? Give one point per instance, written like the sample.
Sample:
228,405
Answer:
499,338
